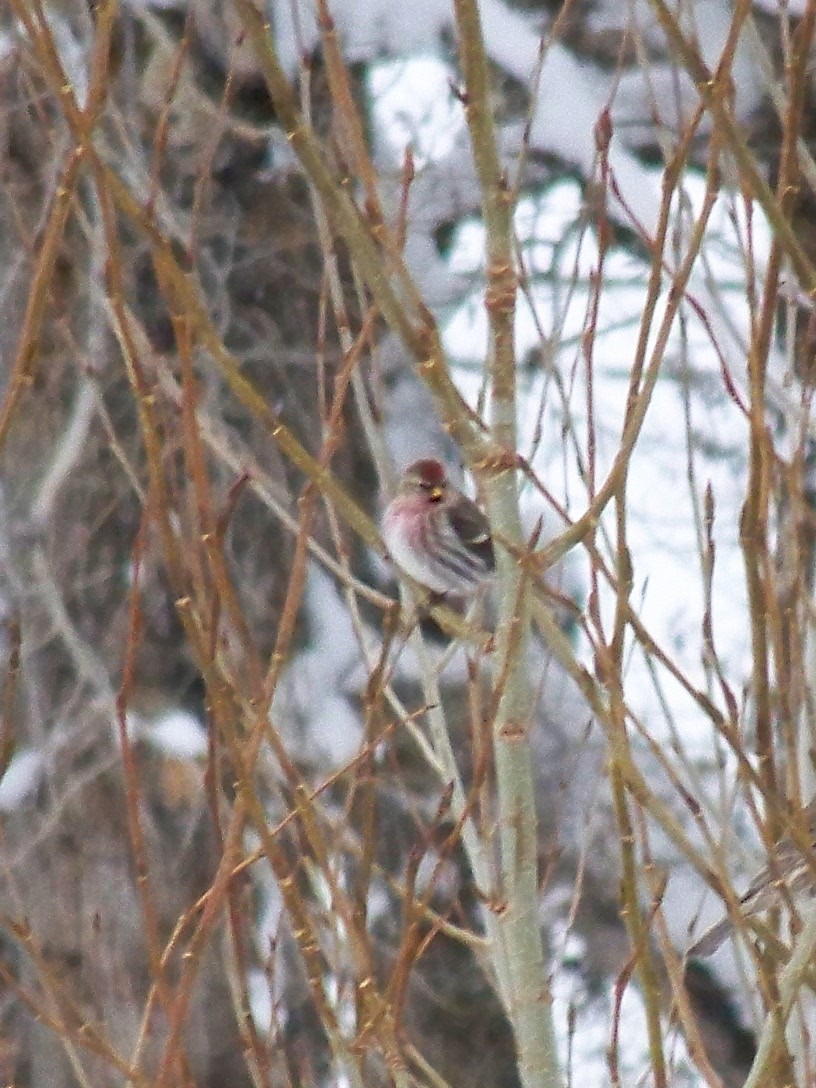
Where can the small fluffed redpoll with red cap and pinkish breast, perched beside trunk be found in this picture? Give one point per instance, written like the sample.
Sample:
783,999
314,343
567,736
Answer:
436,534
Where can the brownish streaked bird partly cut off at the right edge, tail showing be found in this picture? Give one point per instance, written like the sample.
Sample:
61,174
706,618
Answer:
790,870
